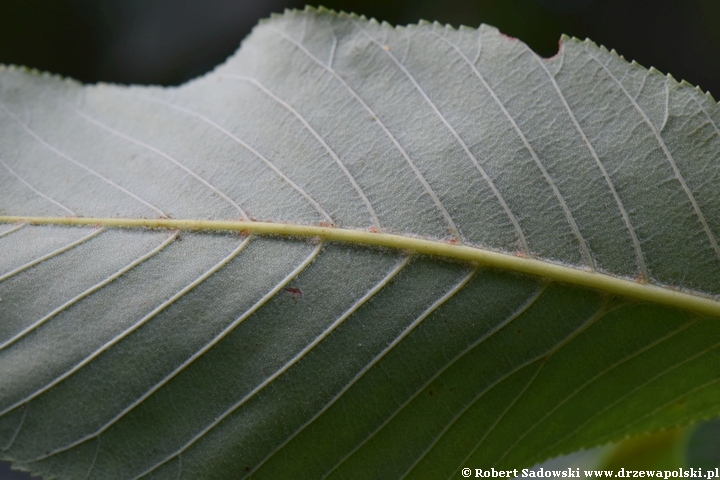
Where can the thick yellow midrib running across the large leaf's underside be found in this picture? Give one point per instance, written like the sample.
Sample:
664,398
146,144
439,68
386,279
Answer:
560,273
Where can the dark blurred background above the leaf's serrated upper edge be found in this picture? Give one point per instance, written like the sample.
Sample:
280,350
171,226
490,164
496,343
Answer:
168,42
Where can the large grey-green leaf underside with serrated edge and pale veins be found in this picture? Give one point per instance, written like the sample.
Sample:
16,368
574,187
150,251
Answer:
355,250
